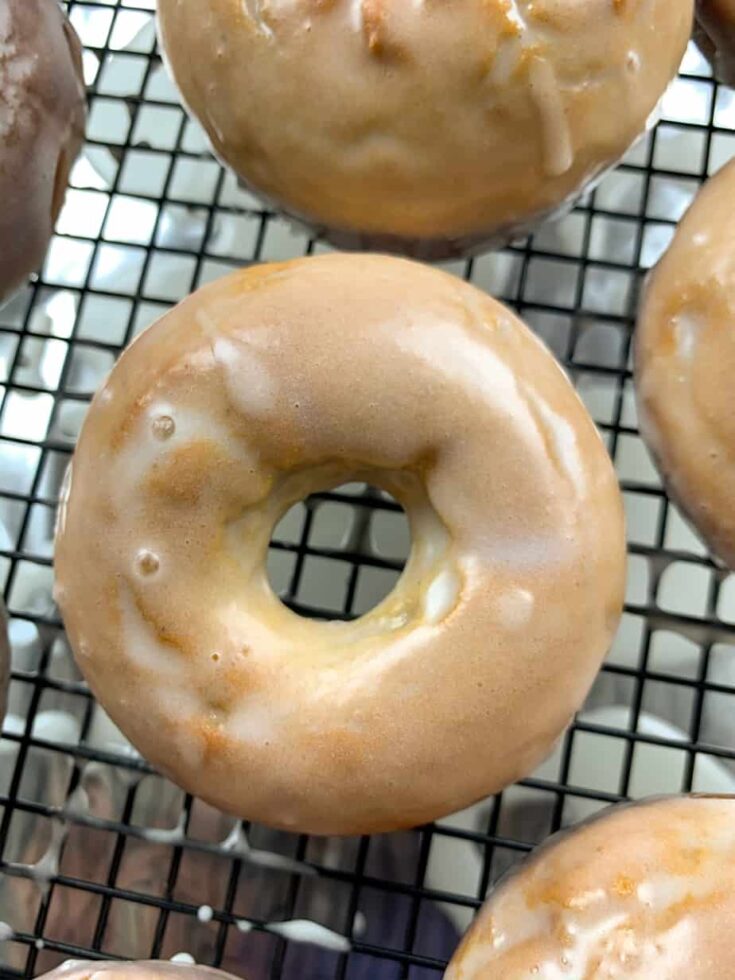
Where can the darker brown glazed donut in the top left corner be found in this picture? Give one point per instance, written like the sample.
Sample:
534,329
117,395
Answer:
42,112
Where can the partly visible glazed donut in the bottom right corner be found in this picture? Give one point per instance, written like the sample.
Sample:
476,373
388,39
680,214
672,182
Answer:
643,892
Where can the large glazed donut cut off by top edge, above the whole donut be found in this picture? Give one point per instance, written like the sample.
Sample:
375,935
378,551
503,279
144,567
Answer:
423,127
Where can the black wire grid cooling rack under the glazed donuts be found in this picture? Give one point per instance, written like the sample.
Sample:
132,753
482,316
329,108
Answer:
99,856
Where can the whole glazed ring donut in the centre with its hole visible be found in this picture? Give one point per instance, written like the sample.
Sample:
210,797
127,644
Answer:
287,379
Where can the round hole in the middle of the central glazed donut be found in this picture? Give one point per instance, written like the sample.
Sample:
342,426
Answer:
339,554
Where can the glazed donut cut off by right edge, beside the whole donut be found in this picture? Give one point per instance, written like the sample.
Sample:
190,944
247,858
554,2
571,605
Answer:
685,363
